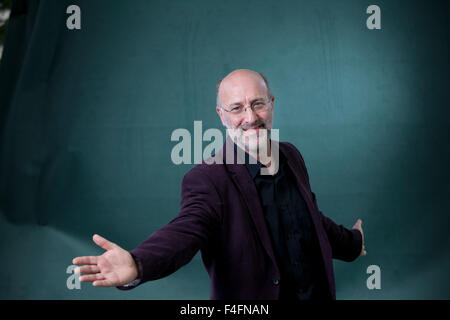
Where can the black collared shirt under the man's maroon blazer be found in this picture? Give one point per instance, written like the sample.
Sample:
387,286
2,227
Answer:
293,236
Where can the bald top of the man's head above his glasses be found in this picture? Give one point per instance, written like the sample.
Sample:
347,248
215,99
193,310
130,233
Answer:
239,82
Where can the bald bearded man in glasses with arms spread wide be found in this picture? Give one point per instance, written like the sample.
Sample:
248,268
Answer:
261,236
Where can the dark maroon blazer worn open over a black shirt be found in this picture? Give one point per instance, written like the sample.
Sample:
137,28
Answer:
221,215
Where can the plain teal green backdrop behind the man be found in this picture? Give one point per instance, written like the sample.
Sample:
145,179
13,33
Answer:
86,118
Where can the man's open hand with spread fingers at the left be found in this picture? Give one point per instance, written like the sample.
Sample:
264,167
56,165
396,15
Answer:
115,267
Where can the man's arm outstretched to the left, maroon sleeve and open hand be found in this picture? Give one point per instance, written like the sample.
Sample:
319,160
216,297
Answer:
168,248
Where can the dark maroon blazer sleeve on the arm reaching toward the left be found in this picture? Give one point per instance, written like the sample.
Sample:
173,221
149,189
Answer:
176,243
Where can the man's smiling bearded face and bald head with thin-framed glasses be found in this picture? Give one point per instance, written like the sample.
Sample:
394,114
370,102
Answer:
247,91
